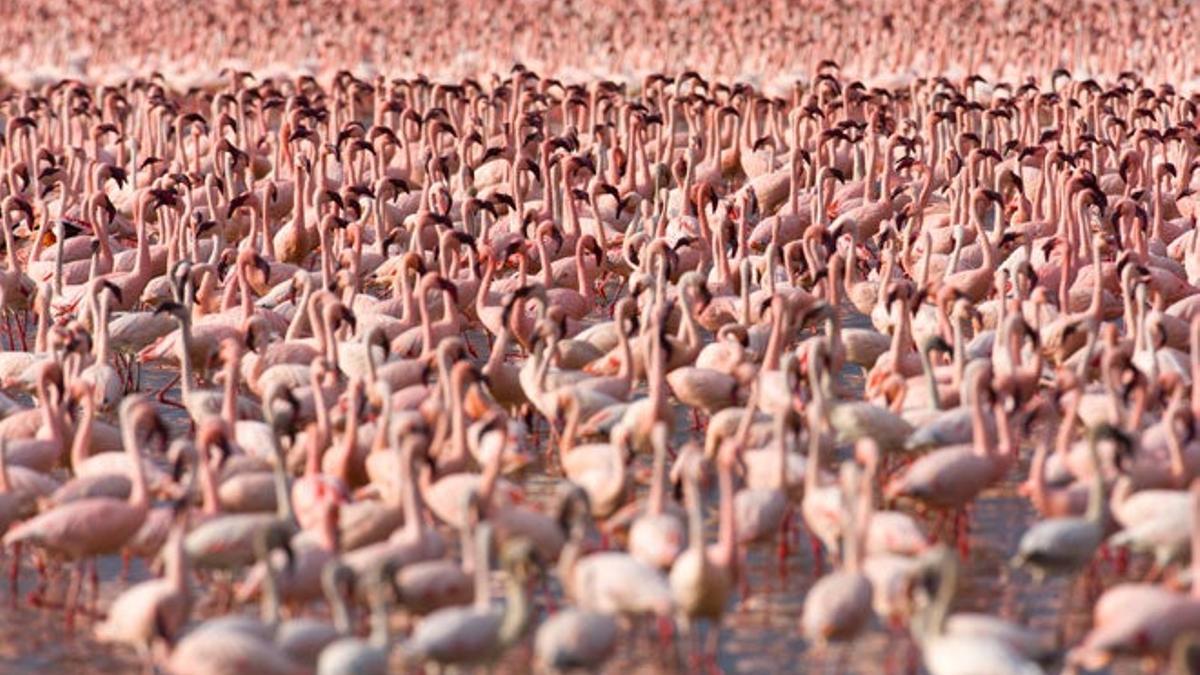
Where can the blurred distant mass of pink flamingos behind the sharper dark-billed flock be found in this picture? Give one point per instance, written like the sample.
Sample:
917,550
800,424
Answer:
770,44
